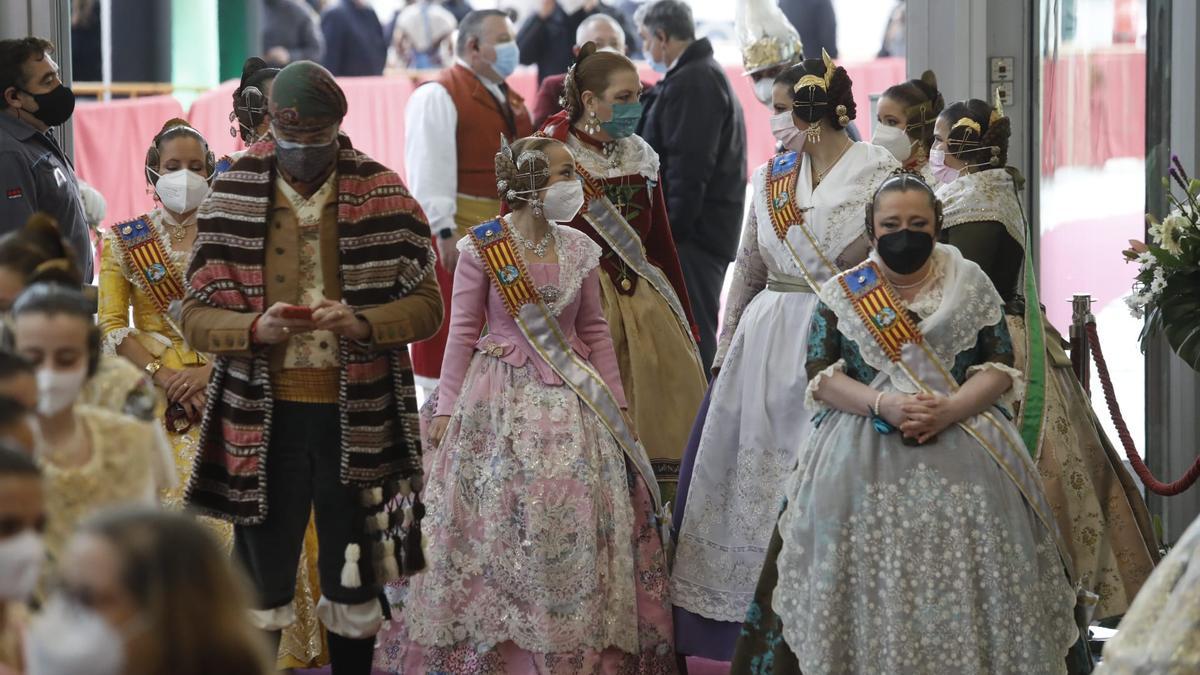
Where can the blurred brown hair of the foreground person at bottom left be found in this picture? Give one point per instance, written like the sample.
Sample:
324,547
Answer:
193,596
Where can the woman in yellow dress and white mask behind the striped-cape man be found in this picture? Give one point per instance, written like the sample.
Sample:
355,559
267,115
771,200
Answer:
142,268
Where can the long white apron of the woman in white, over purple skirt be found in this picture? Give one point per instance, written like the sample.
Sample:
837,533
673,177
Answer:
752,438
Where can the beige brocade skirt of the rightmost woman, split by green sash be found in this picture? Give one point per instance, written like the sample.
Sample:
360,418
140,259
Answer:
1096,503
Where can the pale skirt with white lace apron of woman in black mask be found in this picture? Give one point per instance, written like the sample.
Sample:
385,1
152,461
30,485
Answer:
895,559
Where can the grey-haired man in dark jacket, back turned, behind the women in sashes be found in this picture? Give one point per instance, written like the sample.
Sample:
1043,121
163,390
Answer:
694,122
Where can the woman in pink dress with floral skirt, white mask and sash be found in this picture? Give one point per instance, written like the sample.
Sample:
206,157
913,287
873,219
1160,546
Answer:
543,548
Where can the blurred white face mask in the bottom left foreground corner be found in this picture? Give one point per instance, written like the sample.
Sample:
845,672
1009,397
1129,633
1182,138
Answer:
67,638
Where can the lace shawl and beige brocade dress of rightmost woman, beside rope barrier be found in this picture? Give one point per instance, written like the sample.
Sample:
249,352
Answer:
1096,501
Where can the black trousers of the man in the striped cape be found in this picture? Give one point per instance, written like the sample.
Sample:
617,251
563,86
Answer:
303,465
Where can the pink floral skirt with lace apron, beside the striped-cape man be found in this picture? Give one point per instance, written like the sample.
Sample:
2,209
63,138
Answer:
543,554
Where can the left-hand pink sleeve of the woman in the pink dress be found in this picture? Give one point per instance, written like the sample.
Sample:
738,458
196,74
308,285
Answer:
469,308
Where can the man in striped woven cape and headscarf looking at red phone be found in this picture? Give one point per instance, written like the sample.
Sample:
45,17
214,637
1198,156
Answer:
313,272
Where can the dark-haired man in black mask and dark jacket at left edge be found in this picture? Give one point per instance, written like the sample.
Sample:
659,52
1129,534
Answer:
35,174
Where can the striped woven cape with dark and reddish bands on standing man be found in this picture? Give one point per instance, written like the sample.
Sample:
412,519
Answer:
385,253
